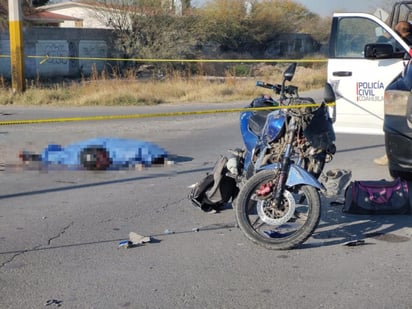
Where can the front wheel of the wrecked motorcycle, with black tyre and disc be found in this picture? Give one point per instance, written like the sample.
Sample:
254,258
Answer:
277,227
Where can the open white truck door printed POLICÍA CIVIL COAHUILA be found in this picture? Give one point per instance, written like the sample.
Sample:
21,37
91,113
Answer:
359,83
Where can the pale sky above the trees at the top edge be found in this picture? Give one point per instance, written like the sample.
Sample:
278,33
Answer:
327,7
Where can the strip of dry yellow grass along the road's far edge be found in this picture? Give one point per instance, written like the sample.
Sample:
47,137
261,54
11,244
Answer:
100,90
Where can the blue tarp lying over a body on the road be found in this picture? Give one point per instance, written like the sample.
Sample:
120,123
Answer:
123,152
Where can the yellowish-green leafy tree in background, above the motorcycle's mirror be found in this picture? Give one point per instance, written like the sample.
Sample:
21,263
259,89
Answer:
236,26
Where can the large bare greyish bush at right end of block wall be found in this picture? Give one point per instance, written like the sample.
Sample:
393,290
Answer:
150,28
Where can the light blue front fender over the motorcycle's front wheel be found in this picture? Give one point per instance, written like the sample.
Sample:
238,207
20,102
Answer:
297,176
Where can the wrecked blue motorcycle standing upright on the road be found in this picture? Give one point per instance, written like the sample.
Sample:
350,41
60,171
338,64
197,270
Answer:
278,205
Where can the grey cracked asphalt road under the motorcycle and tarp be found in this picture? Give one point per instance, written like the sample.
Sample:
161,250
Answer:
60,229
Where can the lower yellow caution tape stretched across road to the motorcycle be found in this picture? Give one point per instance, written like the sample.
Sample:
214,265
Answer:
134,116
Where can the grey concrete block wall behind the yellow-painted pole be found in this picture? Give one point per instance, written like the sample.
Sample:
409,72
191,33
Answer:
78,44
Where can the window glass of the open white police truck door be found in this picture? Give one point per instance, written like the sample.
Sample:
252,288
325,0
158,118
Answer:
354,33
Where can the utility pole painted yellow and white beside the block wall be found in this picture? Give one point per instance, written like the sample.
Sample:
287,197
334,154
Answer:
16,46
